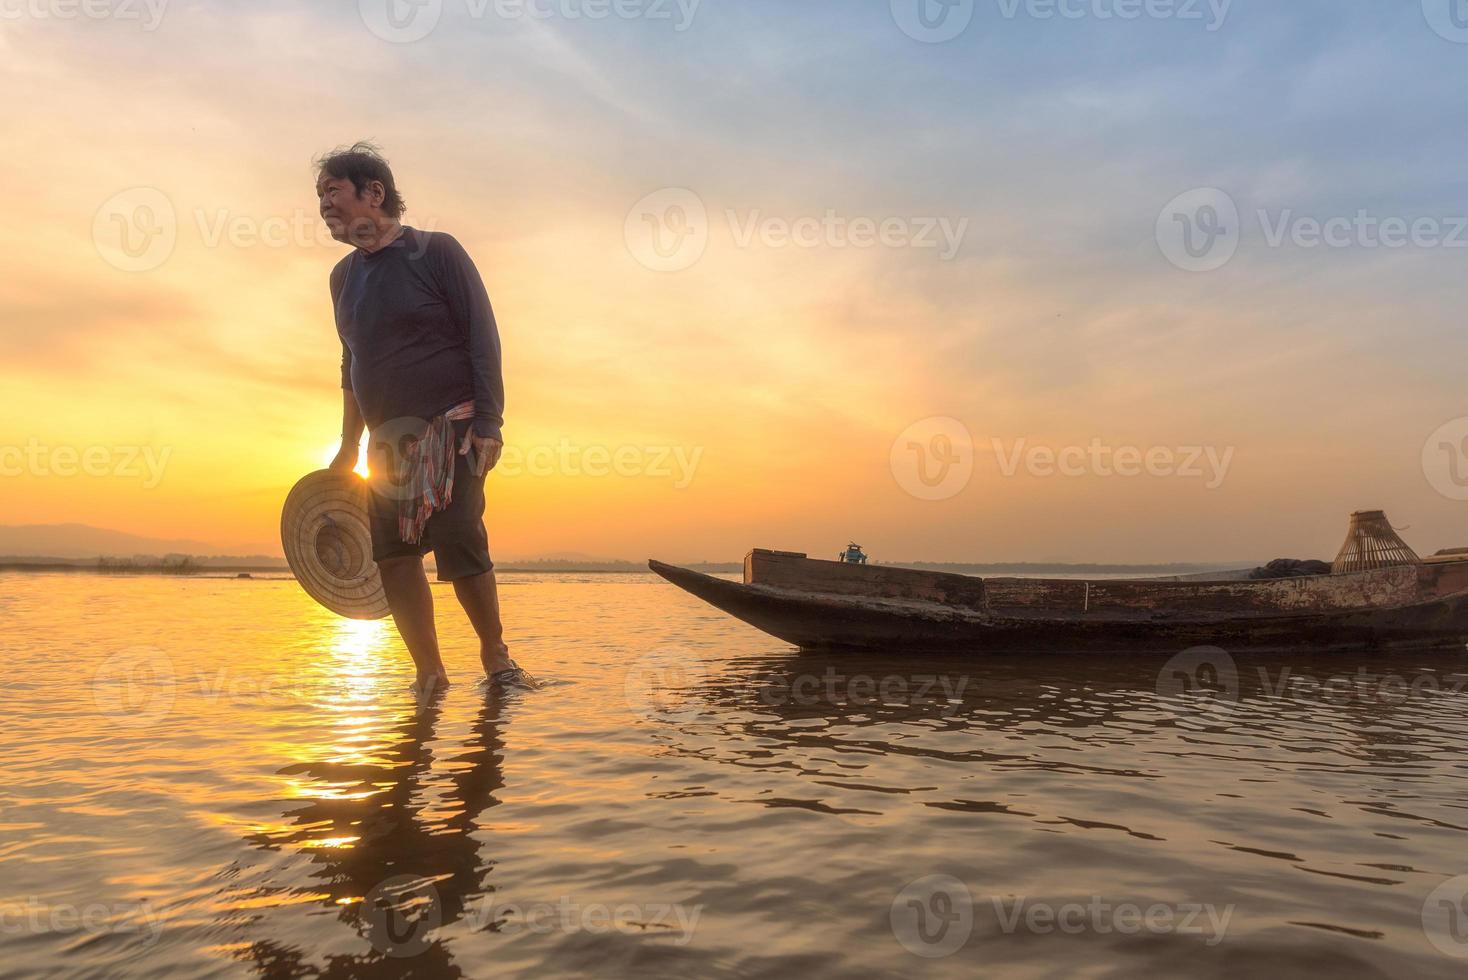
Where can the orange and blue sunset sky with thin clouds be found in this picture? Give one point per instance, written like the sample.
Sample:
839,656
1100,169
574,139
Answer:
785,370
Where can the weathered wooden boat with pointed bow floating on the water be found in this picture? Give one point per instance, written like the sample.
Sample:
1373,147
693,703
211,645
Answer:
820,605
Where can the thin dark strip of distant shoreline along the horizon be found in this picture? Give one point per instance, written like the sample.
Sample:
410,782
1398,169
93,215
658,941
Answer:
197,566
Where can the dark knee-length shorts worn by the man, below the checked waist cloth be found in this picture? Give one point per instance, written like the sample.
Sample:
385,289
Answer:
456,535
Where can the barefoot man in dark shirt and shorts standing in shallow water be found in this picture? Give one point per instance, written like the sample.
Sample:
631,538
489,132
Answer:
422,372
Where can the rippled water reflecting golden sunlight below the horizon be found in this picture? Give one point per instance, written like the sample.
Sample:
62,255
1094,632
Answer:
219,778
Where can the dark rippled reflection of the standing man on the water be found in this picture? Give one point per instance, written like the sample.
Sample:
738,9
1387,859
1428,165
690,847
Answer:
416,865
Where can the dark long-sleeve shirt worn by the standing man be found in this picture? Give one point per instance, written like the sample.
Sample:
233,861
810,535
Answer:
418,332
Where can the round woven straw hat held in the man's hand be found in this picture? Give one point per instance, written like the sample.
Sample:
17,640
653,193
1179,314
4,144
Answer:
328,545
